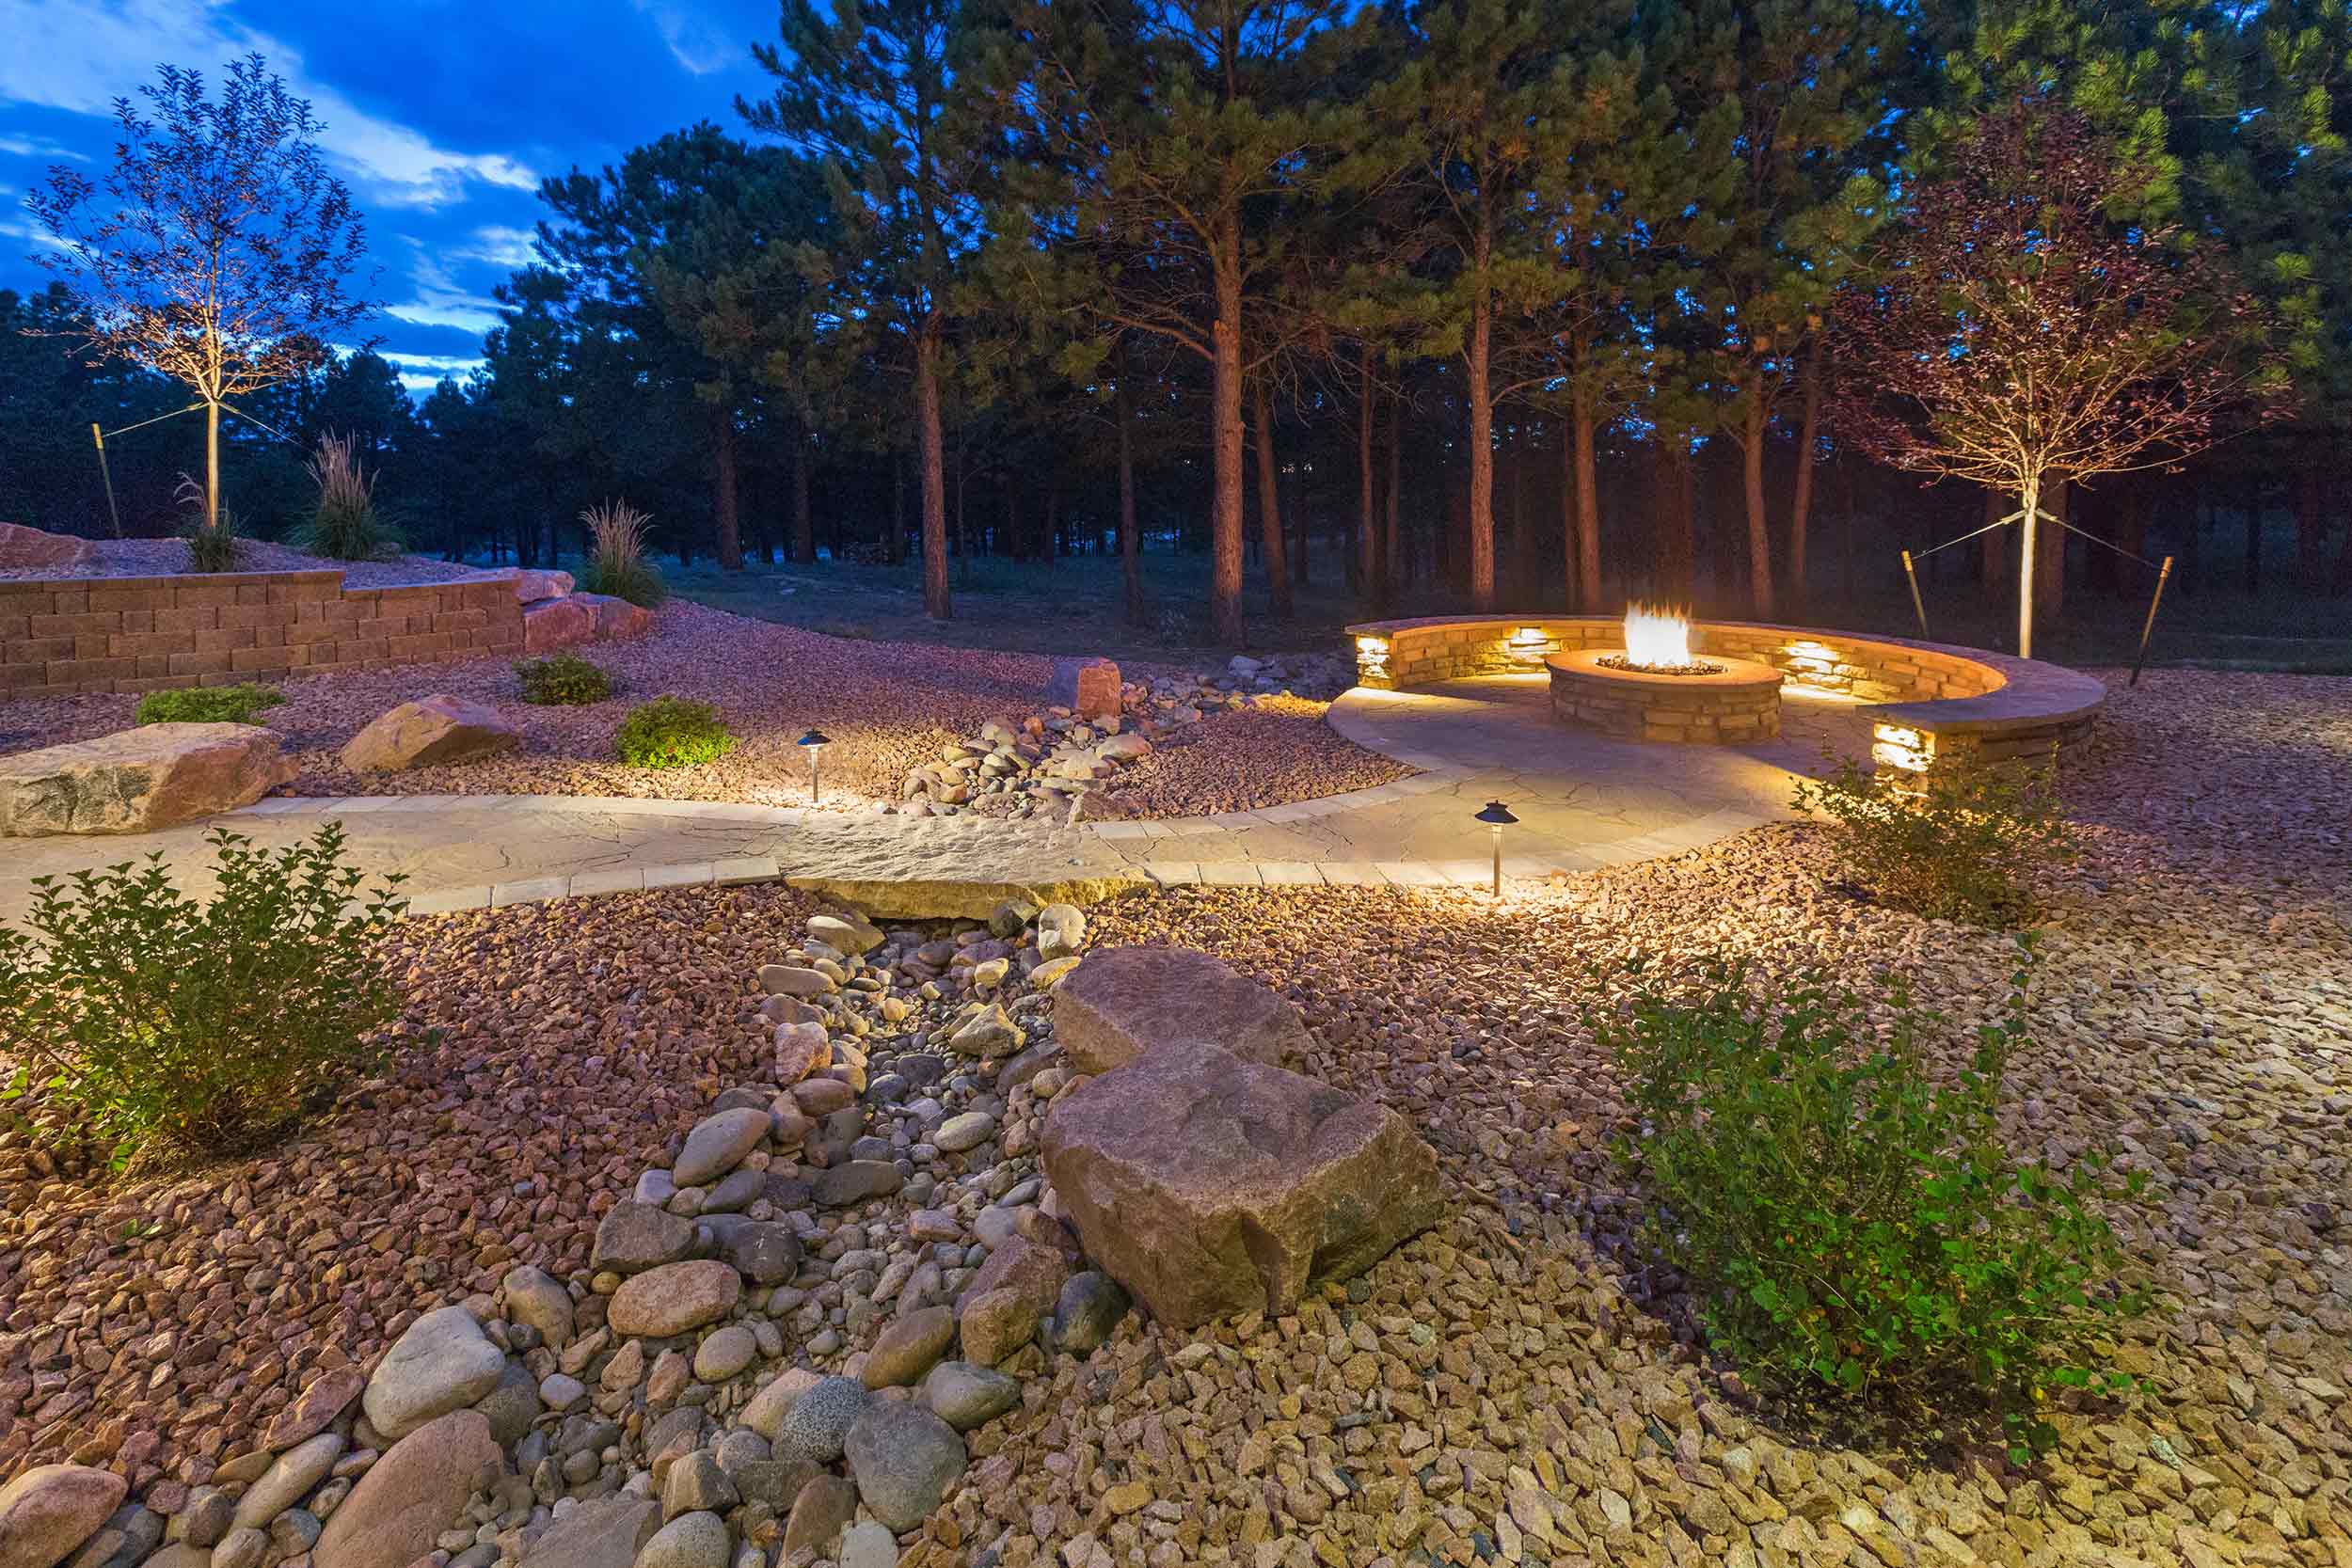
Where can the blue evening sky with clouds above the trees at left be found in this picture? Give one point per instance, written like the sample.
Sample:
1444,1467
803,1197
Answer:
441,119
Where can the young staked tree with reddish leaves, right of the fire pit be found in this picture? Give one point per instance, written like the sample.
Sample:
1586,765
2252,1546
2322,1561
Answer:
2014,335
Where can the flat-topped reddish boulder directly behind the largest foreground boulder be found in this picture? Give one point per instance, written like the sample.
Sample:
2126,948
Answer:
1123,1003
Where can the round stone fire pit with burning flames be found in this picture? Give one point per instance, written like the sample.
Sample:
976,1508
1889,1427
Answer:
1657,690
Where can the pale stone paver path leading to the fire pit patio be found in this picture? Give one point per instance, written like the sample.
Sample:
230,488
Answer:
1582,803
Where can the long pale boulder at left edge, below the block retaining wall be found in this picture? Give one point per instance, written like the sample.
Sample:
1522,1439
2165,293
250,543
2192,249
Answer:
140,779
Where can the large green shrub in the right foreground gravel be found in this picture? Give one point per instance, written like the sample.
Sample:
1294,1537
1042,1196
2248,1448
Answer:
1852,1226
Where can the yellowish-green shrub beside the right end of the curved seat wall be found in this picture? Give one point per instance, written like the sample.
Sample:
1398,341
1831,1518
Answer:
1960,840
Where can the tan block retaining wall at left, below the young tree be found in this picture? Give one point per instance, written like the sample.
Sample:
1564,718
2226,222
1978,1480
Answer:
147,634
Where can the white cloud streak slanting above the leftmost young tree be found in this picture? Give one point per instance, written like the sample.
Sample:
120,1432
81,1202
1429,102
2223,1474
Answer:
81,55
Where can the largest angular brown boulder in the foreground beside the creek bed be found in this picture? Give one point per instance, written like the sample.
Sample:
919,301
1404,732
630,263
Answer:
1208,1184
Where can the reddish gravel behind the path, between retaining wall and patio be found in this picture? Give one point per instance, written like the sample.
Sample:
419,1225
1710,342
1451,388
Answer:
888,706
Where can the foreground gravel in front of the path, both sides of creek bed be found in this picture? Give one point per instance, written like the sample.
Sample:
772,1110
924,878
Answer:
1509,1388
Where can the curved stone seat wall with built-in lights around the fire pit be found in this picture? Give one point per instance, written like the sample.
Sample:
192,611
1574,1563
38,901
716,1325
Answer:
1927,697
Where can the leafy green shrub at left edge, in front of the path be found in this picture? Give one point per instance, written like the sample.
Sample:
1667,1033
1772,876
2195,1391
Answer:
159,1024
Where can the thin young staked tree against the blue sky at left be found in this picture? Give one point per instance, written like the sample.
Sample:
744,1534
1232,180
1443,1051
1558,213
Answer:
218,250
